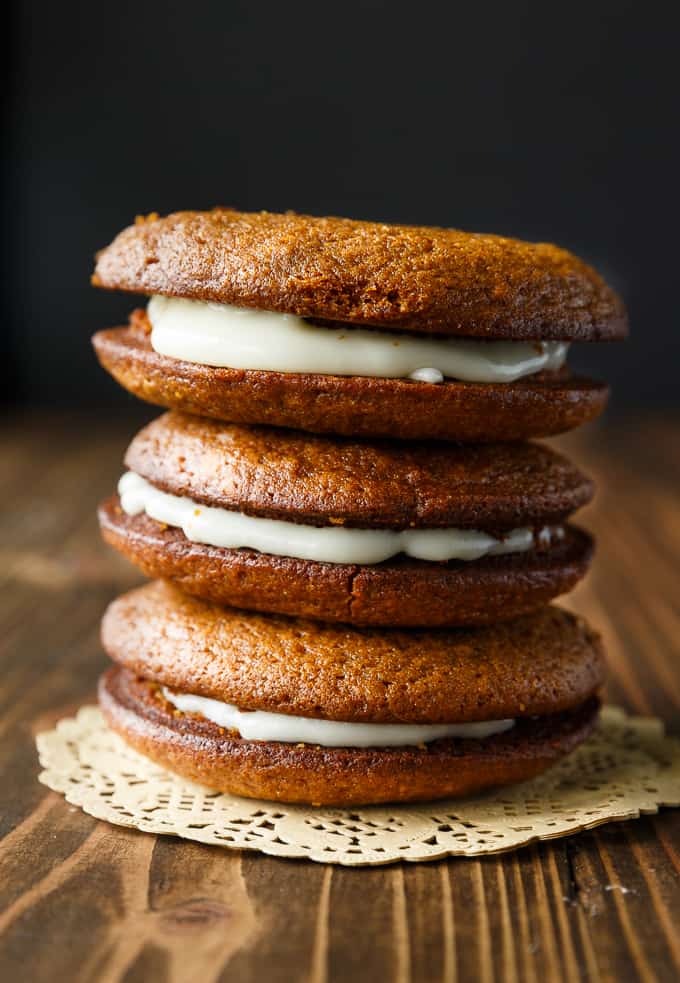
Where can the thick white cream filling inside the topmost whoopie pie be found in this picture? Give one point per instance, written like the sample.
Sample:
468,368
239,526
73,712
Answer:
237,338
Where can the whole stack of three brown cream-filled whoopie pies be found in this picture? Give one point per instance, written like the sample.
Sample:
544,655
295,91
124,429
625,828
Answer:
354,544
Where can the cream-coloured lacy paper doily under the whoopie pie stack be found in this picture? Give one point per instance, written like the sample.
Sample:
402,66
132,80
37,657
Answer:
627,768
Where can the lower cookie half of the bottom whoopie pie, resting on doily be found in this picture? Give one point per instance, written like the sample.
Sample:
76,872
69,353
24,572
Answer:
200,750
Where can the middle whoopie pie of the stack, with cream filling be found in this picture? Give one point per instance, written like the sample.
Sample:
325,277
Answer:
380,533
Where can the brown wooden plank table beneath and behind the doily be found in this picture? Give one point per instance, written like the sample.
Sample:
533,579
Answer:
82,900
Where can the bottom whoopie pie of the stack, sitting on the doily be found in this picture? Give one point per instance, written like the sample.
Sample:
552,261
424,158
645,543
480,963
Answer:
286,709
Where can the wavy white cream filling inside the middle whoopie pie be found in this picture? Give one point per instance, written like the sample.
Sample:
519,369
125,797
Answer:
328,544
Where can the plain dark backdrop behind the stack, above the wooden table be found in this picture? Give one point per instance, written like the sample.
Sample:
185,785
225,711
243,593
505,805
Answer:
541,120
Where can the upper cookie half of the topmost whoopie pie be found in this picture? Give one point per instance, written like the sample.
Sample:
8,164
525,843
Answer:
401,277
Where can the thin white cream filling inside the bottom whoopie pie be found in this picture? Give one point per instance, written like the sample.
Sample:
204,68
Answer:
258,725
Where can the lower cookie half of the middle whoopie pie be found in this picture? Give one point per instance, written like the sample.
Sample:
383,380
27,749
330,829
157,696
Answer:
398,592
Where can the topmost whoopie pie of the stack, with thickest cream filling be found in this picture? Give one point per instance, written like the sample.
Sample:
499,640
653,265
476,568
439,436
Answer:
355,328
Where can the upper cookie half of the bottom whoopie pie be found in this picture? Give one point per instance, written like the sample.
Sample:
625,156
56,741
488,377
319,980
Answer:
540,663
